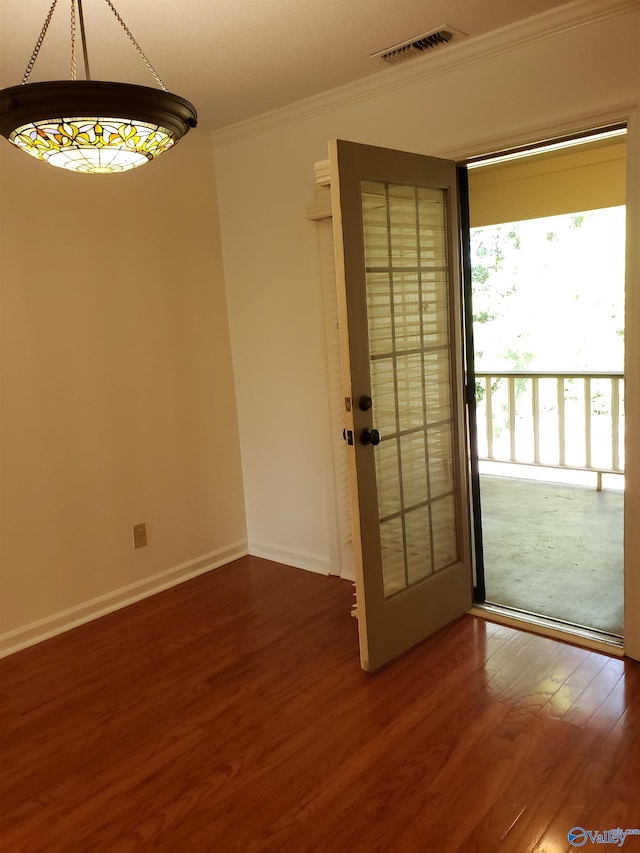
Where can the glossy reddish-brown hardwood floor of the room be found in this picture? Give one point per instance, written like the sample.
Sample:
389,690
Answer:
230,713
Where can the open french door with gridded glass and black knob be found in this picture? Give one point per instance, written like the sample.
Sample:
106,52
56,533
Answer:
396,231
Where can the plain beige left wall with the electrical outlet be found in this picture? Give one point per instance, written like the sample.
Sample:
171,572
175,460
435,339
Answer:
117,400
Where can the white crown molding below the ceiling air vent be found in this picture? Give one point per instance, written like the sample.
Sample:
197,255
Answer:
571,16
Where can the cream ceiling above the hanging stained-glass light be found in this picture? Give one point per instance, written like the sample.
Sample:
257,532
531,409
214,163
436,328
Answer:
235,59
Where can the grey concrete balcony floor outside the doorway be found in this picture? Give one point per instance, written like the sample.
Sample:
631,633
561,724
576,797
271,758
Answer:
554,549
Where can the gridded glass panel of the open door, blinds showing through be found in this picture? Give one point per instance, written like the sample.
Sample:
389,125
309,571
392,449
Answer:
408,323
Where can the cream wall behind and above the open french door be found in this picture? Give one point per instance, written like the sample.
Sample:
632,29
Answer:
452,103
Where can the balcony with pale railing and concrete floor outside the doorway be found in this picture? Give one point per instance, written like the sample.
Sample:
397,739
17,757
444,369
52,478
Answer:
551,451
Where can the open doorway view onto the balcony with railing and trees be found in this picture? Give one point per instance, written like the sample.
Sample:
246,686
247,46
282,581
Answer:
548,270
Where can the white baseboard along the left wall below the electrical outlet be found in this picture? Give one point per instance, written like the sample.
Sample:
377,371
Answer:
58,623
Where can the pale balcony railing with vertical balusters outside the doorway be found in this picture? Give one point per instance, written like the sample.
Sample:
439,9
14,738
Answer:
570,420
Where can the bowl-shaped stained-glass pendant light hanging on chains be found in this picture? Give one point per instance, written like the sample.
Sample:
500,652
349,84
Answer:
92,127
